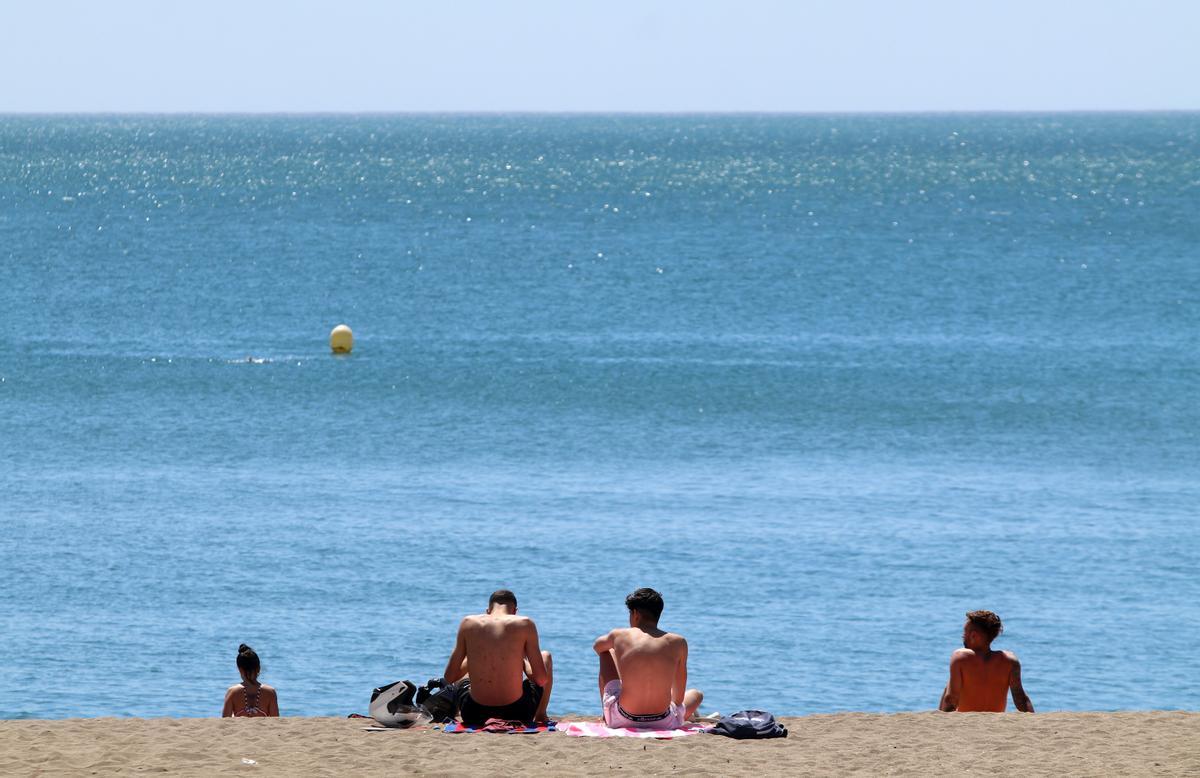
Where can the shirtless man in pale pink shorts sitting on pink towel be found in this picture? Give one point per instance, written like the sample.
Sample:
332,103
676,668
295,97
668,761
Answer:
644,671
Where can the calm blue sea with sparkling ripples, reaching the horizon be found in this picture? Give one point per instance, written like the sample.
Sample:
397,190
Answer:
826,382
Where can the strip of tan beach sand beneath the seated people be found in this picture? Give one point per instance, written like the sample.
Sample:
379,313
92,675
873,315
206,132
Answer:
1145,744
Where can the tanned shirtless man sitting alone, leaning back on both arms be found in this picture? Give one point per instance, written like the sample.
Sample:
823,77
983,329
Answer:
981,679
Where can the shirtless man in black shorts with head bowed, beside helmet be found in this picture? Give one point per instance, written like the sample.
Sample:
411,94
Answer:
502,671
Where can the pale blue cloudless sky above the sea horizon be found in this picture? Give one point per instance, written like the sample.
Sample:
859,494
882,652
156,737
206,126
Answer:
587,56
